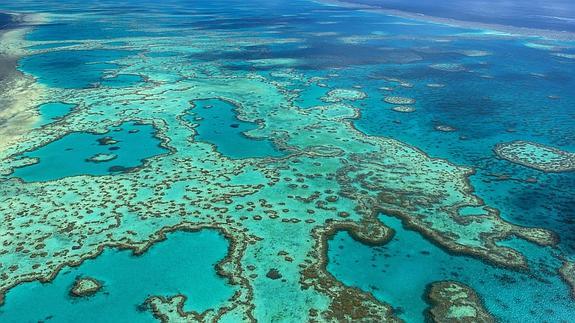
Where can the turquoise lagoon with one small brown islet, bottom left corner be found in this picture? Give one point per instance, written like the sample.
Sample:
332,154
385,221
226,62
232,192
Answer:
184,263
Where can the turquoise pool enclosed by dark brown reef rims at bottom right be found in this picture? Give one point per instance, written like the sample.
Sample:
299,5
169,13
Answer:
399,272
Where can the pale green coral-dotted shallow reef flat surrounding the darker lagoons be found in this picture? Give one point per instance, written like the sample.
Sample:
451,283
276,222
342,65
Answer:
272,208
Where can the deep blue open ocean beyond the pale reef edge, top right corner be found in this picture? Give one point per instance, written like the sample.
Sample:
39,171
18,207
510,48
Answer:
555,15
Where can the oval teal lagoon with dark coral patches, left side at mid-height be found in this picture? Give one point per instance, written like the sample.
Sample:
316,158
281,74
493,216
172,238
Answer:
69,155
